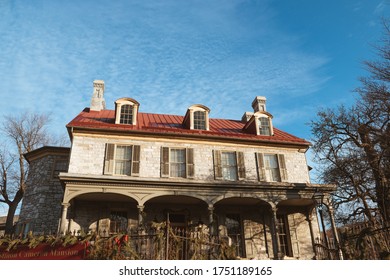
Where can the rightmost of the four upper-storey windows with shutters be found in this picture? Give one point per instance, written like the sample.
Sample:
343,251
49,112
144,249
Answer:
271,167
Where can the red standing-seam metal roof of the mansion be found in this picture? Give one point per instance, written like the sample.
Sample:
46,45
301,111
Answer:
172,124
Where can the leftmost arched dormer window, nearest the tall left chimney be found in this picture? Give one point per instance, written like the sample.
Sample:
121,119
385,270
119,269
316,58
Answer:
126,110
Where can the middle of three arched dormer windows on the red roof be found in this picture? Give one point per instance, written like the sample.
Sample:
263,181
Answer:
197,117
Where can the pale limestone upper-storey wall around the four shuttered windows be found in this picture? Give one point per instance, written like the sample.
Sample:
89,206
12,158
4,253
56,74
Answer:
88,153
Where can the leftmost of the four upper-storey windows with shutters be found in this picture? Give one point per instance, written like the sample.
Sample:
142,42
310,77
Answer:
122,160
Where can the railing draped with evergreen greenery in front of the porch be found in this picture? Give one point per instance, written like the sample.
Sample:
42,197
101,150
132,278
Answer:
163,243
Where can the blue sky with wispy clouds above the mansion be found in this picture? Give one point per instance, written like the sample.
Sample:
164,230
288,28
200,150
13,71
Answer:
170,54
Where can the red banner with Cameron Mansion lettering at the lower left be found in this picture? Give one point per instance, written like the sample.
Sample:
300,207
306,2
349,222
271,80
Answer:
44,252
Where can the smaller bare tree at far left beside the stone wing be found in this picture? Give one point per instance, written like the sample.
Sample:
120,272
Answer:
23,133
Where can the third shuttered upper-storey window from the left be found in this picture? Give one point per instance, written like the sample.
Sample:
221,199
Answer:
229,165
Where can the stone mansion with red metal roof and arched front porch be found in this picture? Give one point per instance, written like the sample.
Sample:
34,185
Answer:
244,179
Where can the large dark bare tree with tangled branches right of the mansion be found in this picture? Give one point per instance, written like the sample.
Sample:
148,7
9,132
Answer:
353,144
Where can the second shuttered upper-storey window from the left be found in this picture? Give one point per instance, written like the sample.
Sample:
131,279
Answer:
177,162
